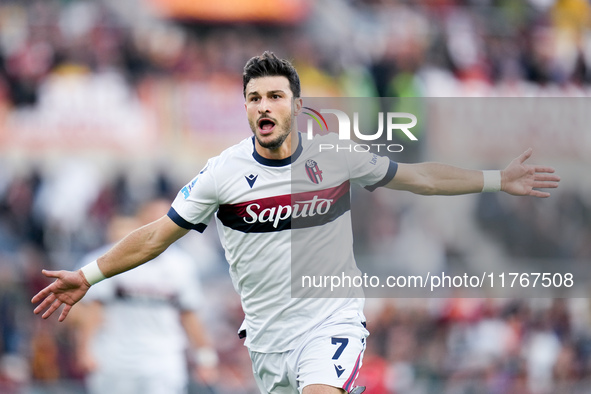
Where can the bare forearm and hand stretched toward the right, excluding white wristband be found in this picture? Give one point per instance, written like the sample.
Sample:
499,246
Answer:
517,178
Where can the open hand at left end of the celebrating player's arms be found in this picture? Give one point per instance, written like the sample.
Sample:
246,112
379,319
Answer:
68,288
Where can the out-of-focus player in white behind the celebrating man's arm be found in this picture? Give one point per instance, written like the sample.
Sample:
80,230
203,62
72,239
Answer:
132,332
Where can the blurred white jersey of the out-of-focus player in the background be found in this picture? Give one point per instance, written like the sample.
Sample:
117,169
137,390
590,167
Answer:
141,332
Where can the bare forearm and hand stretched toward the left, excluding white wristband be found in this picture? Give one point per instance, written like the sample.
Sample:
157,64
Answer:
138,247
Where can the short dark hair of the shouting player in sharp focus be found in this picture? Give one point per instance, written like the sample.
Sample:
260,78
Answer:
269,65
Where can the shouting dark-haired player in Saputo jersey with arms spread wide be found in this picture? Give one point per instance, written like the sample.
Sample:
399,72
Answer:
263,191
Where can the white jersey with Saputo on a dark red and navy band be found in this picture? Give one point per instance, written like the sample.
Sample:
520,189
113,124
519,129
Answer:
273,212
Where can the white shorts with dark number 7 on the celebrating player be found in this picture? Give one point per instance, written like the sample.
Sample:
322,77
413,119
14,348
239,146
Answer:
331,355
